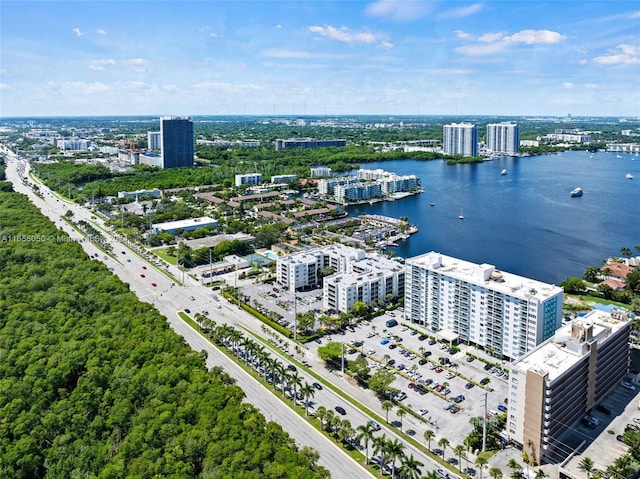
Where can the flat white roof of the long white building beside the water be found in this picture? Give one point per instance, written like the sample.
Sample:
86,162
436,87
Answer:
486,275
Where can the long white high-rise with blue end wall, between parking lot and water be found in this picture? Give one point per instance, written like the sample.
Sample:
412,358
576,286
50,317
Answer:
506,314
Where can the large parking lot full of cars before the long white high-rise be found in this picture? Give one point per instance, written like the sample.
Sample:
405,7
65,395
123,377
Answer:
420,377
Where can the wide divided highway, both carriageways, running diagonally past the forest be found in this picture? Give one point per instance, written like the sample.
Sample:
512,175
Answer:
169,299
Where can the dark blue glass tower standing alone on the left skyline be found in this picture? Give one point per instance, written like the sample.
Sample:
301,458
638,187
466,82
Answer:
176,141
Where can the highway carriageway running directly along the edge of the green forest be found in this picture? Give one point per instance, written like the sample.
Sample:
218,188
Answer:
171,299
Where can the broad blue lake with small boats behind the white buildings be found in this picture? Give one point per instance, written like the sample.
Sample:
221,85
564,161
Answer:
524,222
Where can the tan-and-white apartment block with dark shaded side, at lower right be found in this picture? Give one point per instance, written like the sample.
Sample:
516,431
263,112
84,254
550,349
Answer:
556,384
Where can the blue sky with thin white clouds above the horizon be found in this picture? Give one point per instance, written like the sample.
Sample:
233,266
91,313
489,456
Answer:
344,57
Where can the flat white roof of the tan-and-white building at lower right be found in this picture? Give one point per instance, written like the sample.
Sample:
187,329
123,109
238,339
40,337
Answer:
558,354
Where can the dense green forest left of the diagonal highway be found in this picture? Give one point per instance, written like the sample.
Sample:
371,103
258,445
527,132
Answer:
94,383
